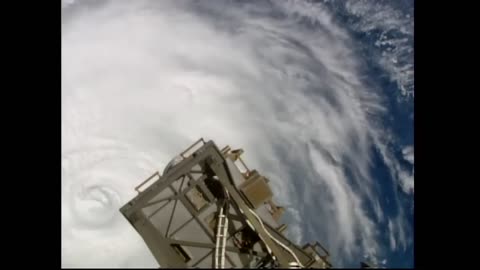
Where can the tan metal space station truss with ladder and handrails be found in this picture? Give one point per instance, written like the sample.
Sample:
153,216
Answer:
208,210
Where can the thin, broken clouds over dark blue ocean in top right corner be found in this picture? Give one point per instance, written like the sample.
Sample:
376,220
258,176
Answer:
388,22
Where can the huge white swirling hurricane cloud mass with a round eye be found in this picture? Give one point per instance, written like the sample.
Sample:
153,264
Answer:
142,80
